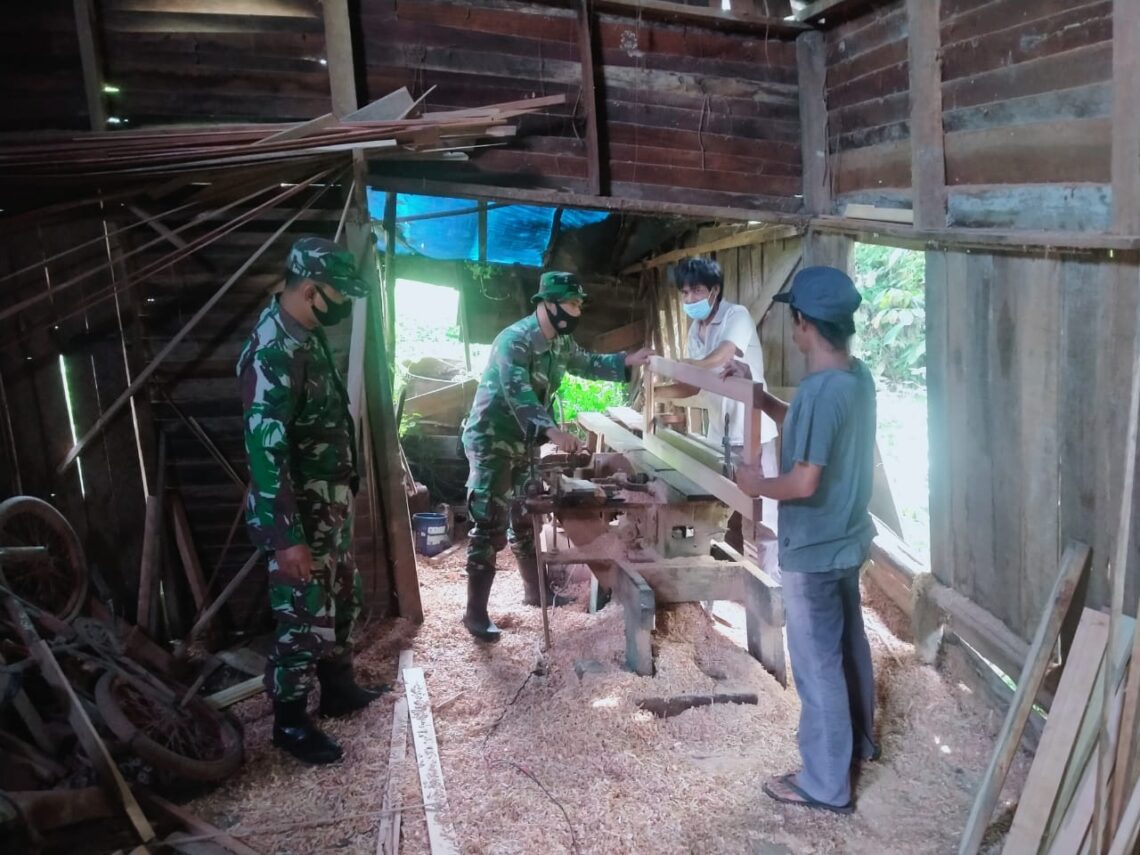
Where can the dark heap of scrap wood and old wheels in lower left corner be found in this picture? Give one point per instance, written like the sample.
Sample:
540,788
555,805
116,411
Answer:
72,675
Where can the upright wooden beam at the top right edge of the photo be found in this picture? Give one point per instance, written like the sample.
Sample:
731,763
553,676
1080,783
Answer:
1126,166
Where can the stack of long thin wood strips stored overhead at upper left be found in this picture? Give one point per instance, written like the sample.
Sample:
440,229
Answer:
386,128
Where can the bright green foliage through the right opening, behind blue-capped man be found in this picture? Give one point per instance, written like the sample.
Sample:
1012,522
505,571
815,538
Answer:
892,321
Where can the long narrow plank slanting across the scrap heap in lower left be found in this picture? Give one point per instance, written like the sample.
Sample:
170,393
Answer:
82,724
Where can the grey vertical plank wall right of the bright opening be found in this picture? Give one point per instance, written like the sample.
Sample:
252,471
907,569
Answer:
1028,421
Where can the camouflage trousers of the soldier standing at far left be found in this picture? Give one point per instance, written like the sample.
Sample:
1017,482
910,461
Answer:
315,618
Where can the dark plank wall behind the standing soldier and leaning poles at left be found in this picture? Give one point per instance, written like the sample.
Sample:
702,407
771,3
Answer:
199,379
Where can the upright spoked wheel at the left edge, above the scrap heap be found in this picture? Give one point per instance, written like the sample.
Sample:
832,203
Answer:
55,582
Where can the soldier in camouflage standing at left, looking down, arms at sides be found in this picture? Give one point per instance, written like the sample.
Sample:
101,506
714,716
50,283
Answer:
302,445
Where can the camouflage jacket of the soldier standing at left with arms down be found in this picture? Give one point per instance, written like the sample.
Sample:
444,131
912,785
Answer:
298,429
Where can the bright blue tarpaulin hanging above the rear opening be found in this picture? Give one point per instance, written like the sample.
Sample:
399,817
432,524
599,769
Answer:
516,234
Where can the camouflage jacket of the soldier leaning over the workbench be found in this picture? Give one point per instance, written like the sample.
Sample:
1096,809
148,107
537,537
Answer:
524,372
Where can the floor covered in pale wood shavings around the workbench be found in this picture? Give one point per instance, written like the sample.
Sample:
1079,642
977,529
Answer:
538,759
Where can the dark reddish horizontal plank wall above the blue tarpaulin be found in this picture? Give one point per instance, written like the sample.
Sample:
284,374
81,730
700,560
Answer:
690,116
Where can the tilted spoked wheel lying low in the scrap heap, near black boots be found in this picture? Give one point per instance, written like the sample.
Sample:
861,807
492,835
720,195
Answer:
194,743
